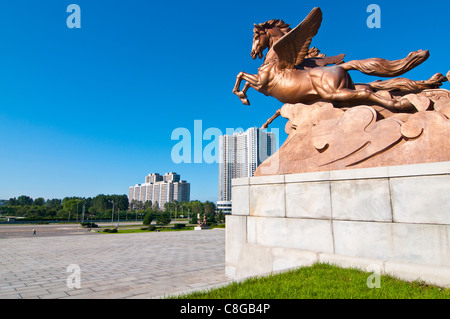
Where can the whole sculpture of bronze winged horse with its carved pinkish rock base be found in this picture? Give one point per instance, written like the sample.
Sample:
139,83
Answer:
336,124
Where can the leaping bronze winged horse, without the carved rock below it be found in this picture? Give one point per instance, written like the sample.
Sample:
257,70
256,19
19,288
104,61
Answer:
293,72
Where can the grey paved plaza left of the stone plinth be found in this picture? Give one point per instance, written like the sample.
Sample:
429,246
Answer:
140,265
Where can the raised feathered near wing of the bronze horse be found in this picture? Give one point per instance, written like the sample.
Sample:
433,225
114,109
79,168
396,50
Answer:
293,47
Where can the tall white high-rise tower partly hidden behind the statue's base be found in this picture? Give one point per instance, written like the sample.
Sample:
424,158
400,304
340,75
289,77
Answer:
240,154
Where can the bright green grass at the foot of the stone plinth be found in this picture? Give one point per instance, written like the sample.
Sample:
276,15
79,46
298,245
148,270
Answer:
321,281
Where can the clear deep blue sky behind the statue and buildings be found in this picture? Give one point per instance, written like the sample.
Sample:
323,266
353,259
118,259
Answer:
91,110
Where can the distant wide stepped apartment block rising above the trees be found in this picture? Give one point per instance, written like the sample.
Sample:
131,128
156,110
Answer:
161,189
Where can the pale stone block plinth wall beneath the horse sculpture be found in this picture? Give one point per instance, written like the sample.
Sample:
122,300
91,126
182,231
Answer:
397,218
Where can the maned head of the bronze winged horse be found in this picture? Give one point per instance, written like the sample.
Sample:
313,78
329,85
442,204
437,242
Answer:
266,34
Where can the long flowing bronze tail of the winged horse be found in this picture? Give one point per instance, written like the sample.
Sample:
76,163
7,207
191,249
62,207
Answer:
387,68
